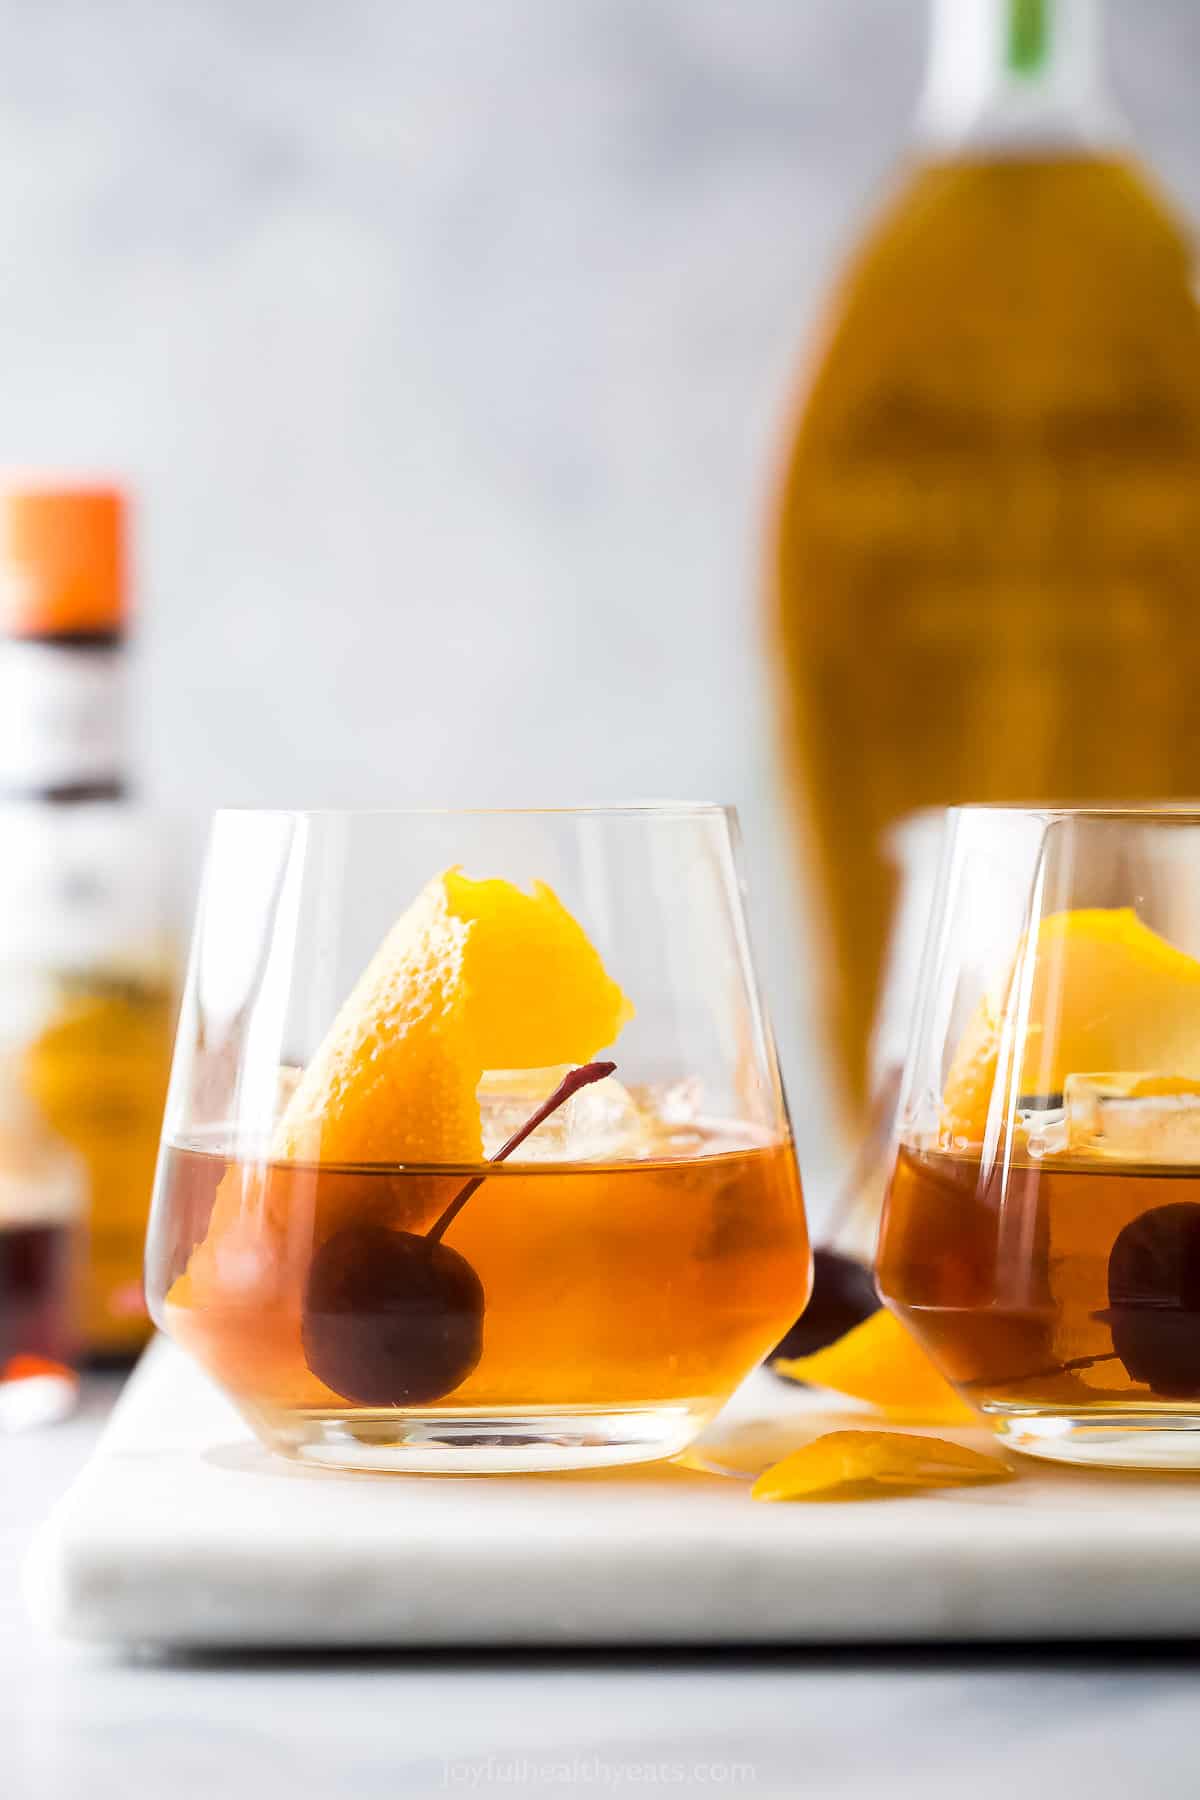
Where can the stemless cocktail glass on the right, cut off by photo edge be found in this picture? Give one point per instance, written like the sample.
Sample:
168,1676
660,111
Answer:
1043,1227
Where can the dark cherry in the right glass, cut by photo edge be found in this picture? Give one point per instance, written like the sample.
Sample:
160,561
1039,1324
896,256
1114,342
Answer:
1154,1299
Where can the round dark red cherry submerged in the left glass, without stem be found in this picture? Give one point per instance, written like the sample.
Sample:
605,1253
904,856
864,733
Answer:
391,1318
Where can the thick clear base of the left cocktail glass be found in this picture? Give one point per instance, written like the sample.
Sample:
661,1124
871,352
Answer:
505,1443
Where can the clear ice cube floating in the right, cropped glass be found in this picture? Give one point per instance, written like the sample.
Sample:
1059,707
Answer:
1134,1117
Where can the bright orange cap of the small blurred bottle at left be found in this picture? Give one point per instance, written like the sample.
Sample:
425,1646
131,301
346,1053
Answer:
62,559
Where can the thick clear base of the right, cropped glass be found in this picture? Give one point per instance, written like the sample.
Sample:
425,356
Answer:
1120,1439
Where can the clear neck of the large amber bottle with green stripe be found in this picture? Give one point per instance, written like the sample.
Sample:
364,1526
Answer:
1016,78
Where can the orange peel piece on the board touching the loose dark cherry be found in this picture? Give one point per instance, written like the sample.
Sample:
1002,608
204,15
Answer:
882,1363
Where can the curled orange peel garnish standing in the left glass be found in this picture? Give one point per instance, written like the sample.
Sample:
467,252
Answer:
476,976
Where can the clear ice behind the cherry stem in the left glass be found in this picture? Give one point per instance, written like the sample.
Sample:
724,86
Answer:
602,1122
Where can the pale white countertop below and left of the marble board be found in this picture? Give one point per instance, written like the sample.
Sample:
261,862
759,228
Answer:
832,1723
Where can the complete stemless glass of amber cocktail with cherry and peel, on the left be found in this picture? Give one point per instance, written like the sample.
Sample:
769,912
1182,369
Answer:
332,1236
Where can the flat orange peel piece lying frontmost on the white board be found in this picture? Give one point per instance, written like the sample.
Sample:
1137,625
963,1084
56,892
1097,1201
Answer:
875,1464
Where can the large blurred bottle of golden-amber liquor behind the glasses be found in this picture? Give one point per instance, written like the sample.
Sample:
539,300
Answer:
987,535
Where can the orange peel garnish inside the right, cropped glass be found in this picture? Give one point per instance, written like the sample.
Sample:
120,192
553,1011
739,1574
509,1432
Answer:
1104,993
